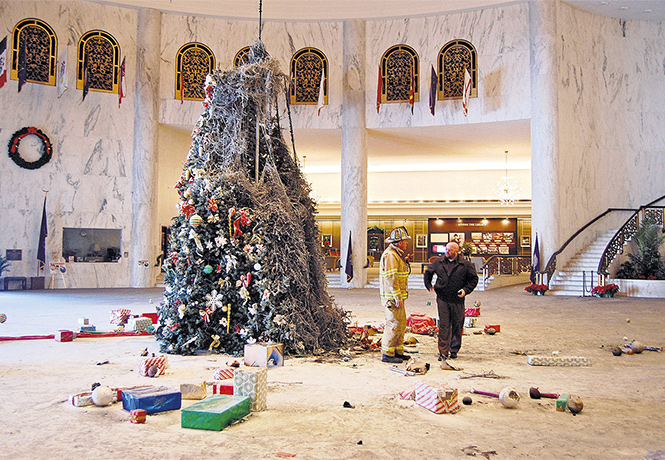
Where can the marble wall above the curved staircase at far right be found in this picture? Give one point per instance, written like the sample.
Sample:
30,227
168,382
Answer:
611,88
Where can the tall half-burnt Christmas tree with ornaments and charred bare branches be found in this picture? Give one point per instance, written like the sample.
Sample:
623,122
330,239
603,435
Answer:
245,263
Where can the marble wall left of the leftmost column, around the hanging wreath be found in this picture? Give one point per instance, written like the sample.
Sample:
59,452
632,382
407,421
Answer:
89,178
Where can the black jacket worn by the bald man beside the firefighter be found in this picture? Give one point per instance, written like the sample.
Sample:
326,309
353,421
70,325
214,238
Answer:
462,276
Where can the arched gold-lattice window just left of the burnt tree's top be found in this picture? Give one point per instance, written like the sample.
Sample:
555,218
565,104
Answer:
194,61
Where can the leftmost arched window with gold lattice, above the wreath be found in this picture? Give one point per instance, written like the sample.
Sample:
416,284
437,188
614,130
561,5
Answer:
36,42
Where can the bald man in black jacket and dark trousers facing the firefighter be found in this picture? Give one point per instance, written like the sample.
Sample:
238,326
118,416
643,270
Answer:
456,278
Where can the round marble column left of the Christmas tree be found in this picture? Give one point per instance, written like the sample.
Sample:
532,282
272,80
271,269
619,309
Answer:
144,172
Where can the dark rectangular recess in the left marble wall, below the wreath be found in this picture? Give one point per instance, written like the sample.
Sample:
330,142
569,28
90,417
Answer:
91,244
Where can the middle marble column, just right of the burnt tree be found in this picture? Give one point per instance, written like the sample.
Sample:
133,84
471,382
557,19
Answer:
354,153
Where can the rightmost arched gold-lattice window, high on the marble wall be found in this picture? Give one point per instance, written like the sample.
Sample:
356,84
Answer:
454,57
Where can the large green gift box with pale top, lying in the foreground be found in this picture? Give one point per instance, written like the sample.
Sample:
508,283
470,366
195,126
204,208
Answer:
215,412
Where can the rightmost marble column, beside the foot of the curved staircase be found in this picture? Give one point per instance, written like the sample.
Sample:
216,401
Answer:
545,156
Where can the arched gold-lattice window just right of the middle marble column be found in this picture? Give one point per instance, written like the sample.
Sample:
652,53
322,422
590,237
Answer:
400,74
